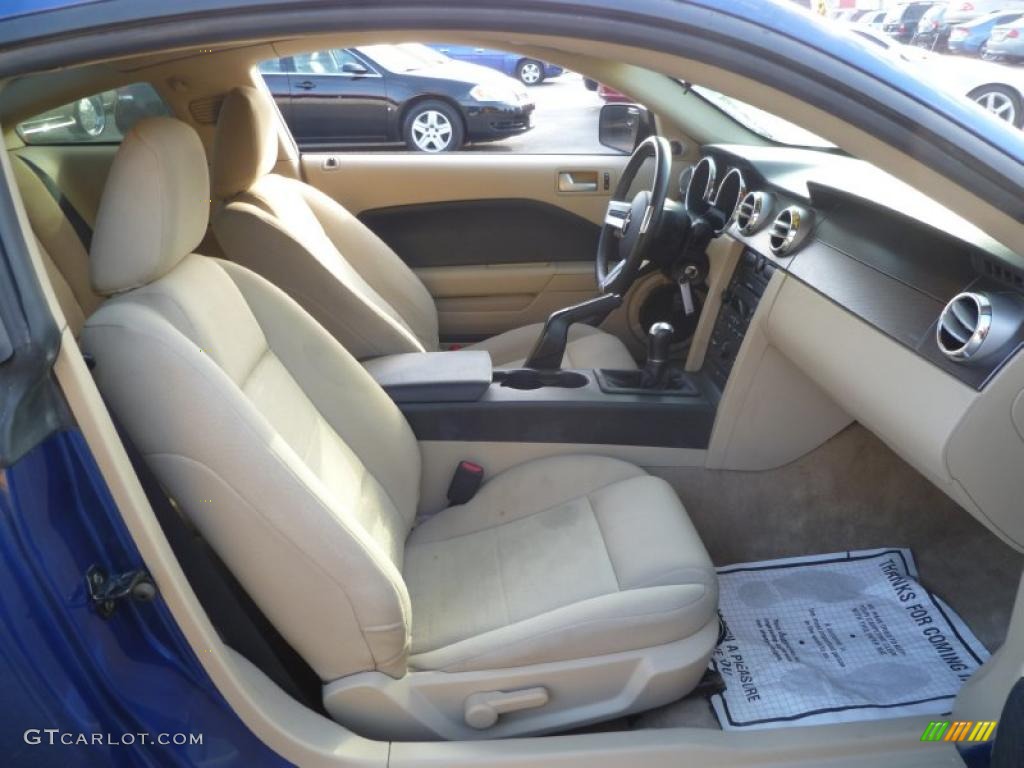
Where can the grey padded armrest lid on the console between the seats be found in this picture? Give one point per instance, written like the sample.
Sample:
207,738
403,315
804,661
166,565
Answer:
434,377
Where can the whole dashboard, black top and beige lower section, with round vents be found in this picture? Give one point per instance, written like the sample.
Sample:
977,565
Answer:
894,310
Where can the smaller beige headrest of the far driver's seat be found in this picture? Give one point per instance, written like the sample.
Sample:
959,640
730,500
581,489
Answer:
245,147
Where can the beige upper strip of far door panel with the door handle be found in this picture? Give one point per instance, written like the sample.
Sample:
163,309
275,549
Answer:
364,182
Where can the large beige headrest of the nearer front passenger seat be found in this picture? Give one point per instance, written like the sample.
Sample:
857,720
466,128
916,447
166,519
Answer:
155,207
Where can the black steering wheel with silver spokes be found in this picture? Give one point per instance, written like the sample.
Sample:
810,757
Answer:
630,226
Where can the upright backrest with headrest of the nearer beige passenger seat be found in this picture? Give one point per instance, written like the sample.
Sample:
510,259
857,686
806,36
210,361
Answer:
293,464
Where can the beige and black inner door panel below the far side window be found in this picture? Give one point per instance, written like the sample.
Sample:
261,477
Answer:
492,236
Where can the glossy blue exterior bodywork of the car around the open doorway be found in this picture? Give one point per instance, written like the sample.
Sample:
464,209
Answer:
65,667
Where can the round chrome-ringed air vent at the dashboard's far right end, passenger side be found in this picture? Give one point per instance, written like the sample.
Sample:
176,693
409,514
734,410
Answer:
974,325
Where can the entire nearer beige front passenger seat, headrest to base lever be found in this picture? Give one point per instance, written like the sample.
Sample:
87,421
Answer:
578,580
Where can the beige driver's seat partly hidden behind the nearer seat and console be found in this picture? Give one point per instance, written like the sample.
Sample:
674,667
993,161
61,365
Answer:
326,260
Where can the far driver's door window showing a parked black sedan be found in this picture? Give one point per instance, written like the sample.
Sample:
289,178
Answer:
439,98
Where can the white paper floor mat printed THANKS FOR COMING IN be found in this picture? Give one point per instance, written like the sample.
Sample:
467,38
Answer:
837,638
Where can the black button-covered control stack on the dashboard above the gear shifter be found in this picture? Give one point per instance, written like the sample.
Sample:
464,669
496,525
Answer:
739,305
